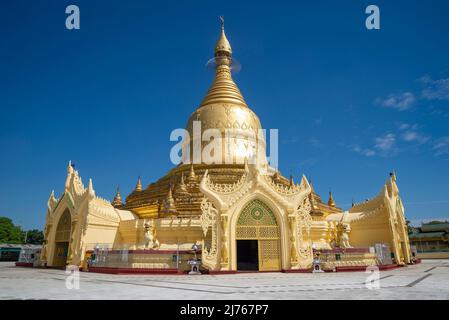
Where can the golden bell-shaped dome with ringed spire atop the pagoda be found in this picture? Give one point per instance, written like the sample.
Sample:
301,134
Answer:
224,106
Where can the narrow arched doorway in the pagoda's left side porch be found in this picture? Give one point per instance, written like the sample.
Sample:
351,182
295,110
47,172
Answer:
62,240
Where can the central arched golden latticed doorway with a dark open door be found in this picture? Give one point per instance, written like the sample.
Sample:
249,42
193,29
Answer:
258,238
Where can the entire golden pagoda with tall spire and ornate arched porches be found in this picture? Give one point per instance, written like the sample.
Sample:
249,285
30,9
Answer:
244,216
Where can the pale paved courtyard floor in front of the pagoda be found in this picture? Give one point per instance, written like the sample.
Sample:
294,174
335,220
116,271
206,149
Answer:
428,280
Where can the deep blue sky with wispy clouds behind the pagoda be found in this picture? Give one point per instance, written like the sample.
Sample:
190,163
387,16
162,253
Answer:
351,105
